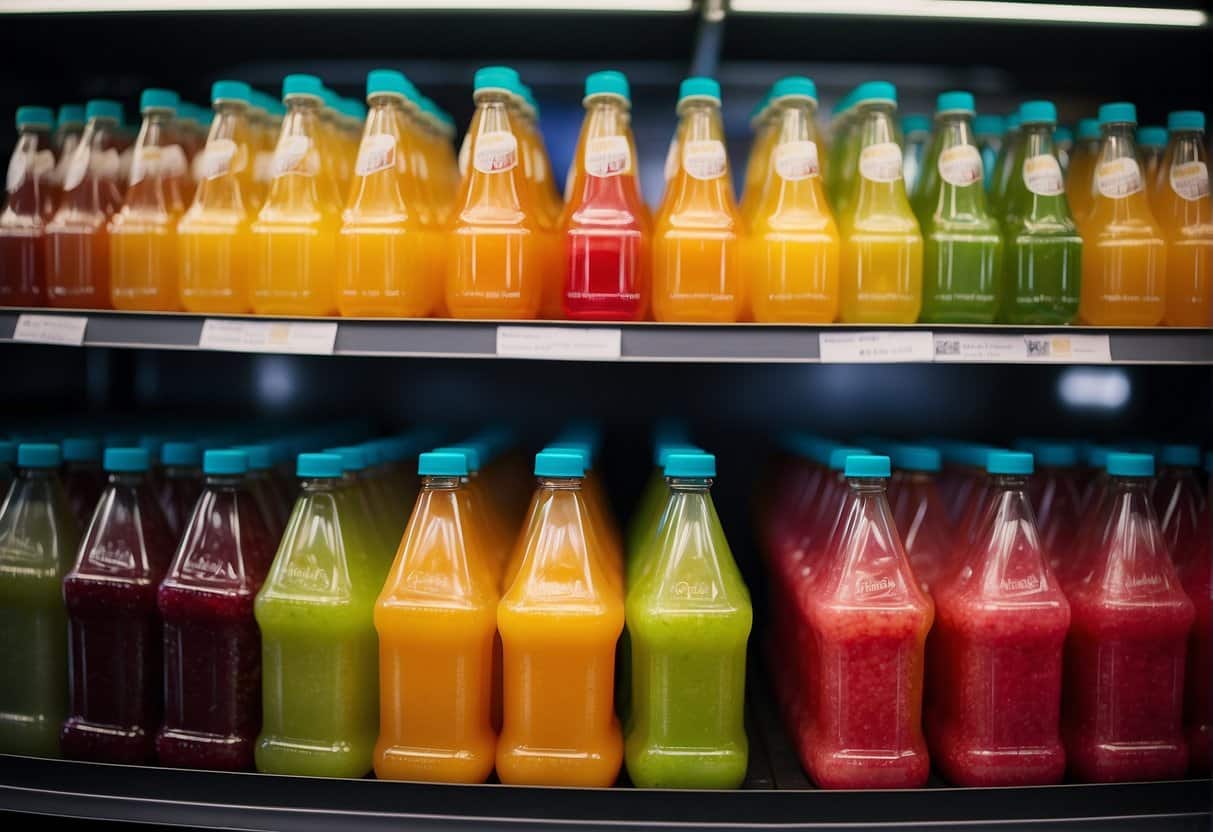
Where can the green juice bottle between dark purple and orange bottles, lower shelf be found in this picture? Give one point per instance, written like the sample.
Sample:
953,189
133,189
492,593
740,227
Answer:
320,697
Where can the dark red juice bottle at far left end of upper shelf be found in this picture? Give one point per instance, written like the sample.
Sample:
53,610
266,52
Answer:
30,190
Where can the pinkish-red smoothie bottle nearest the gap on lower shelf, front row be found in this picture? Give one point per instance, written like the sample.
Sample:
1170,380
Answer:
869,624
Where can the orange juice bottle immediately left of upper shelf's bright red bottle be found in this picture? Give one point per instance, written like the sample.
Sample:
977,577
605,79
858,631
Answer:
496,265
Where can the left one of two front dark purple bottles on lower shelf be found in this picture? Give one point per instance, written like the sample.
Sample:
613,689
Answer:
115,631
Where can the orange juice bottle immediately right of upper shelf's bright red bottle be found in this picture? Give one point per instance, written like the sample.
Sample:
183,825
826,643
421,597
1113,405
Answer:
697,260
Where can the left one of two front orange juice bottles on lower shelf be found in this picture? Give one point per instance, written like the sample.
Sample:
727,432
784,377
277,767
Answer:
437,625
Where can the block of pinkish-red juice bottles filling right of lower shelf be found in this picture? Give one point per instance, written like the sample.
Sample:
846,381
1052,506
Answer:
1006,617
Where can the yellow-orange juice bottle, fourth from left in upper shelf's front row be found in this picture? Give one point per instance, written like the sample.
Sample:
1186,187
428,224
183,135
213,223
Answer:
214,237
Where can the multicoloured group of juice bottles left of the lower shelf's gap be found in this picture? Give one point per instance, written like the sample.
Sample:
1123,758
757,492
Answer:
202,623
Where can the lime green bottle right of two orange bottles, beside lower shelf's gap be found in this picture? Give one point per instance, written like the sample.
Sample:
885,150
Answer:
690,618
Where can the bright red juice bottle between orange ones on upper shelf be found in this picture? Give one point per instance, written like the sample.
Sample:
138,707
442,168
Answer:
605,223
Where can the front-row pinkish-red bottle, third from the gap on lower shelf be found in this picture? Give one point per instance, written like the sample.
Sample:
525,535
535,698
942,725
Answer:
1125,656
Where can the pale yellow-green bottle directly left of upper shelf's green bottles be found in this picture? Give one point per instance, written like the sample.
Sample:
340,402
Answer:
881,243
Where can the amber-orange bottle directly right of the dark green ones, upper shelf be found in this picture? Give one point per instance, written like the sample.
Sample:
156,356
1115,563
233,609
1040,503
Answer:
1125,255
